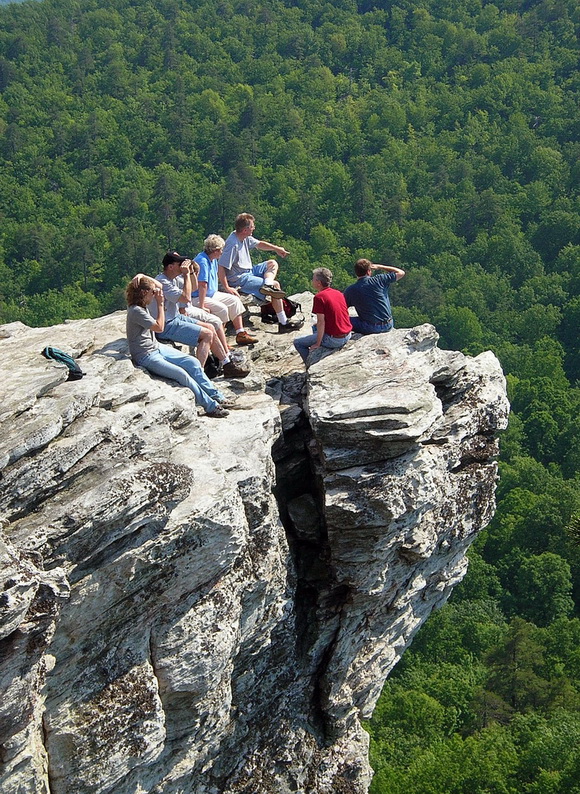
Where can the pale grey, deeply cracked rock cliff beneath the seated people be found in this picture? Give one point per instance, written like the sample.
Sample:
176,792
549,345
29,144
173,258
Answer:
207,606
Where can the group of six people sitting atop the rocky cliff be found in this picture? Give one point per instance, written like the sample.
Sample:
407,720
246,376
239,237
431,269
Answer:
191,301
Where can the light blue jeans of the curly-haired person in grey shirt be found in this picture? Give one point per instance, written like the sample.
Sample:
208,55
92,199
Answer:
170,363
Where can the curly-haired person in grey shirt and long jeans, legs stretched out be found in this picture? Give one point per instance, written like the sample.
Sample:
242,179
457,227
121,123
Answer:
165,360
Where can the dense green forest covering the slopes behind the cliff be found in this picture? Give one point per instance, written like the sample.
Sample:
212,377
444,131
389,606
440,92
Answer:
439,136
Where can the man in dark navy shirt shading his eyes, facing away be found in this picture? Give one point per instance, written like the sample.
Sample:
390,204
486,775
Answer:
370,297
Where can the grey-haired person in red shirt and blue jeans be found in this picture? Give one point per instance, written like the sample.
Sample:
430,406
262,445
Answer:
333,327
